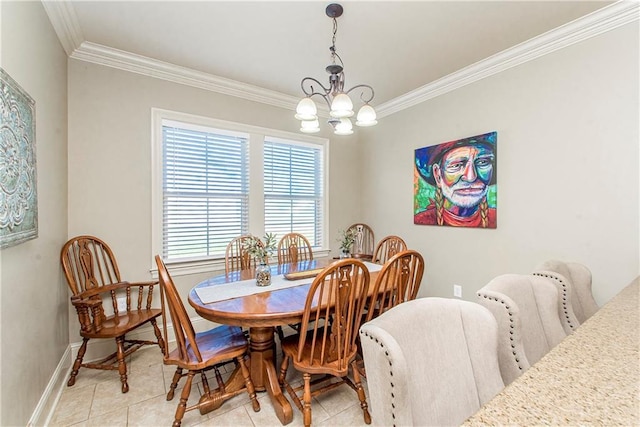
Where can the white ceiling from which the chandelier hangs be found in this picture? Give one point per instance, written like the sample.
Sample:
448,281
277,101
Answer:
394,46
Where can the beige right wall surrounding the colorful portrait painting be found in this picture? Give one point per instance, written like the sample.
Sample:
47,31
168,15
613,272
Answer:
567,169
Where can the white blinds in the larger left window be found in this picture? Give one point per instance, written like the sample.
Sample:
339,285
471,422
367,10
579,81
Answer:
205,190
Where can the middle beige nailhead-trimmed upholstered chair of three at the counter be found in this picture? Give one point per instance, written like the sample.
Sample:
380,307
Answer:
526,308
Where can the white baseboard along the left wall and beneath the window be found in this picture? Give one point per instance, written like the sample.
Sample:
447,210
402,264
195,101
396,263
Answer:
96,349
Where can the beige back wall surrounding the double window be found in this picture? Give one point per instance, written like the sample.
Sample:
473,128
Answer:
110,158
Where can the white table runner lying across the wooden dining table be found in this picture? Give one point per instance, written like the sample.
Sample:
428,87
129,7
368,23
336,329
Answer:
244,288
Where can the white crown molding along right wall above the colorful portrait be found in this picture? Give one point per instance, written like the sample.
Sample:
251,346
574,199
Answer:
598,22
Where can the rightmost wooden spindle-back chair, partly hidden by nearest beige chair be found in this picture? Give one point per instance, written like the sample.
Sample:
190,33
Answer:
398,281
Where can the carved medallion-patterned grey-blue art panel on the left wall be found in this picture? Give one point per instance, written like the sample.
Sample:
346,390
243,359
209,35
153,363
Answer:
18,192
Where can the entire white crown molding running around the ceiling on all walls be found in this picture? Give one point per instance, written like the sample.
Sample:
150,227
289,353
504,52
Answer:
65,23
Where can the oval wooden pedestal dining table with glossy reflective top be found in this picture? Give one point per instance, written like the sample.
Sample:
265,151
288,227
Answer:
261,313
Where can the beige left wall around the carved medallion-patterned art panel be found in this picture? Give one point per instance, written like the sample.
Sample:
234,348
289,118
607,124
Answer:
33,295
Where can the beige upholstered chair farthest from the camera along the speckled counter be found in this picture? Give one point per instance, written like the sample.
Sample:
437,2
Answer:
579,278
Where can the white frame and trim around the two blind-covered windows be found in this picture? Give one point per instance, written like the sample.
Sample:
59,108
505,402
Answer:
257,136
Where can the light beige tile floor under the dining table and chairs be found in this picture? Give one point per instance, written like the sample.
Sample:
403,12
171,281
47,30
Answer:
96,400
